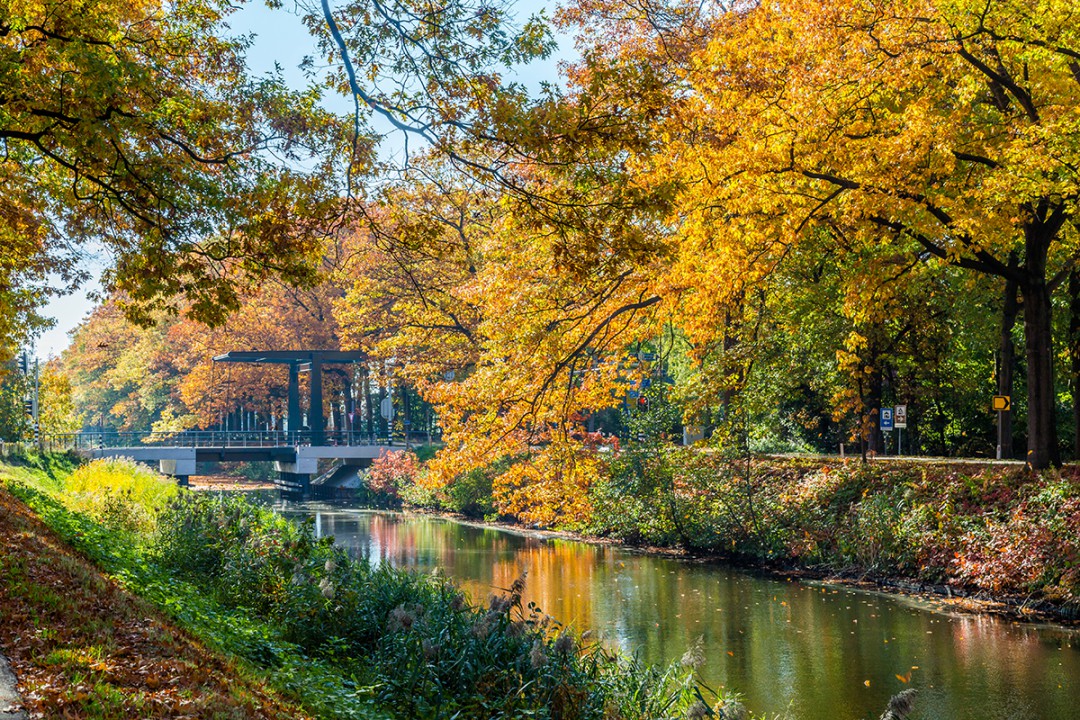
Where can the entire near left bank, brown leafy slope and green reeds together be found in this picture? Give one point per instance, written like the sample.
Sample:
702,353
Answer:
288,624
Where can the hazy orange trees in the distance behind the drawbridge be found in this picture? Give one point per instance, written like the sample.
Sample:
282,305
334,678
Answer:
132,378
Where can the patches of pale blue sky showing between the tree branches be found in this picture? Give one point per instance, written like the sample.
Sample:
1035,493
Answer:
278,37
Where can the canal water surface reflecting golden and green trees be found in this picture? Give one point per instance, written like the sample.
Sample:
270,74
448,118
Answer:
793,647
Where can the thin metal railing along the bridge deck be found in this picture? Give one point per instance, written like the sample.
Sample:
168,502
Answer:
208,439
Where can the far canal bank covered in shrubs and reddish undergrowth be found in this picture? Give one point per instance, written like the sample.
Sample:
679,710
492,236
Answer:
1001,533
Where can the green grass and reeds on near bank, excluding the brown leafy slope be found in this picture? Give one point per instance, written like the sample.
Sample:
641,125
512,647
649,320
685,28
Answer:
346,640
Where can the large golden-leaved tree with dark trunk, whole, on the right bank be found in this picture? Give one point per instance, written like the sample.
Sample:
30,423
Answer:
941,130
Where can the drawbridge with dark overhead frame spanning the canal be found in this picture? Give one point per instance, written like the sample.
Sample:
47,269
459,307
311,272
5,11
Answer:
296,451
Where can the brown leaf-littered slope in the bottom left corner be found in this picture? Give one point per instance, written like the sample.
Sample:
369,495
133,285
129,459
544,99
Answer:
84,648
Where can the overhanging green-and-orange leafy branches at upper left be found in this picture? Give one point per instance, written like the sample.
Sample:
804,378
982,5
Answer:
133,128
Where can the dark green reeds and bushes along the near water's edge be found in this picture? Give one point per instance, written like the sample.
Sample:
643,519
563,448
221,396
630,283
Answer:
415,641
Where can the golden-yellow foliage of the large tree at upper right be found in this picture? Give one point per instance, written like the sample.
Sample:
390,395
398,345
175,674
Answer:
867,94
